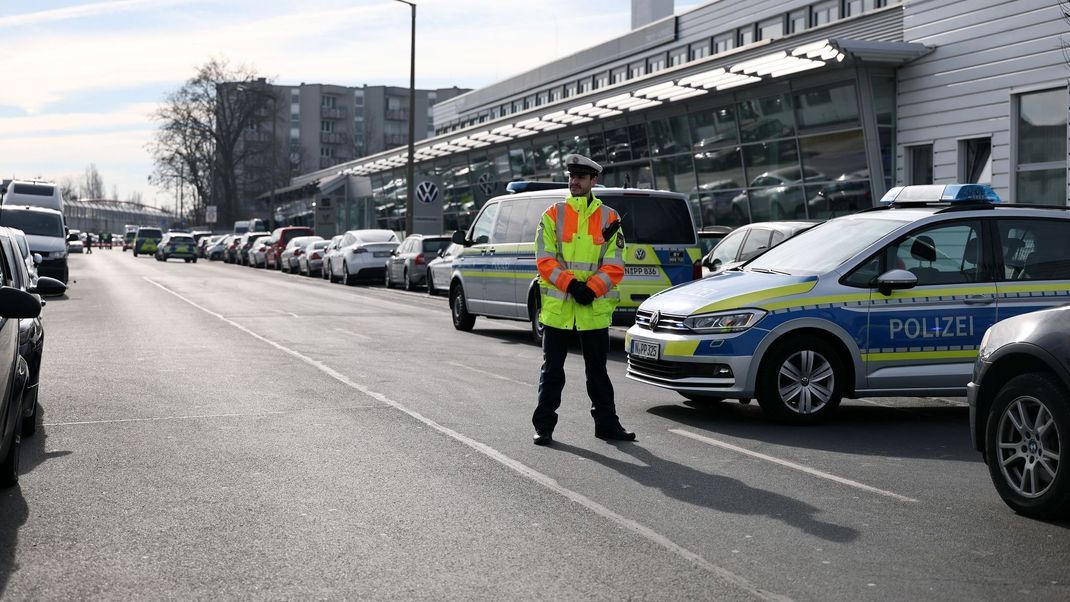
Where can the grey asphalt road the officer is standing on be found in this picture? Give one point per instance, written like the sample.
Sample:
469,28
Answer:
215,431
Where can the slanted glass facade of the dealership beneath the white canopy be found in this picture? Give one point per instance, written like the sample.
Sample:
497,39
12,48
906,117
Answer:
797,155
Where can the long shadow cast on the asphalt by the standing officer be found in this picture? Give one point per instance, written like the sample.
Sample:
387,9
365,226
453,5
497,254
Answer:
715,492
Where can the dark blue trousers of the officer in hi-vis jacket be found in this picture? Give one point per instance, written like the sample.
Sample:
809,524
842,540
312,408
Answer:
552,382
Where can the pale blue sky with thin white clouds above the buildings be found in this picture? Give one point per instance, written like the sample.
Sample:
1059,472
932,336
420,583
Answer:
81,80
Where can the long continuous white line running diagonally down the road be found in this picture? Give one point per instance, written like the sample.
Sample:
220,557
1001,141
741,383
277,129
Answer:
522,469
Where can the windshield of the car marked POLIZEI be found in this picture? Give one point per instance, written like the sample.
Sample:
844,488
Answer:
823,249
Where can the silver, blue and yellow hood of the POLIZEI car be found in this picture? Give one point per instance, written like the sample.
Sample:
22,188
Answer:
728,290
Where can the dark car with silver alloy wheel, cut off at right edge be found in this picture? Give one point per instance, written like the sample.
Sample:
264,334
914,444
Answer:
1020,411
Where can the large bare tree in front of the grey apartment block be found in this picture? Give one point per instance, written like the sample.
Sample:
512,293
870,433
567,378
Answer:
213,138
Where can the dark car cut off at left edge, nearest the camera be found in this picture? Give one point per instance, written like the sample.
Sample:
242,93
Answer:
16,306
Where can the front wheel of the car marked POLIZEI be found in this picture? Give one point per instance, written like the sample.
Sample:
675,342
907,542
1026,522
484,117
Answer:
802,381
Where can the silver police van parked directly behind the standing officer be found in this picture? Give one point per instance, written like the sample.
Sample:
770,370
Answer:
496,275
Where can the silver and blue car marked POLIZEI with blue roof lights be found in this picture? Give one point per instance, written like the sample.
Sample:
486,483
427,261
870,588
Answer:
893,301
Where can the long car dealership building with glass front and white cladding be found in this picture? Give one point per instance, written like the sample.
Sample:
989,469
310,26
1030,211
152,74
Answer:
757,111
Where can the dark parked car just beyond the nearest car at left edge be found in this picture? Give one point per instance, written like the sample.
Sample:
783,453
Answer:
32,341
